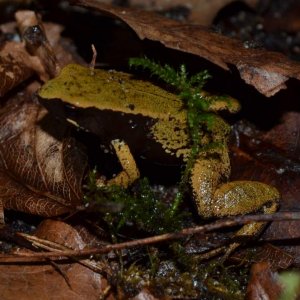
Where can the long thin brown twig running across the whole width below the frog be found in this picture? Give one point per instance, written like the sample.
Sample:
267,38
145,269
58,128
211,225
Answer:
65,254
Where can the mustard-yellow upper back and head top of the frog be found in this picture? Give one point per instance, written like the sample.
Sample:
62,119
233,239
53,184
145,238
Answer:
111,90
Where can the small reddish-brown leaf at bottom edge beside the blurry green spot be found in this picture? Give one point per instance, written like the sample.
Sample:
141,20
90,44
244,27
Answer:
263,283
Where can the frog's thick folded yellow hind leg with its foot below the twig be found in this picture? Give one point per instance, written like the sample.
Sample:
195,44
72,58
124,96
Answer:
217,198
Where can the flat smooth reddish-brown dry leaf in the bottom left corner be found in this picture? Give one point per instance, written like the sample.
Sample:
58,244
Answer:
44,282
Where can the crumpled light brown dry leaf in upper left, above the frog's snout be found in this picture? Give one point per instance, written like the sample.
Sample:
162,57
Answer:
17,64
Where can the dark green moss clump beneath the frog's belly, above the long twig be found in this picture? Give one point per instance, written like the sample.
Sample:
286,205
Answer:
138,206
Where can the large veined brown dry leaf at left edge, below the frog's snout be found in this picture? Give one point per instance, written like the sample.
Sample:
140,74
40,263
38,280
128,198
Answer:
41,168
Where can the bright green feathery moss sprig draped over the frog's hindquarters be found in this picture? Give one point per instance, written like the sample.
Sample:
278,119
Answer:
201,118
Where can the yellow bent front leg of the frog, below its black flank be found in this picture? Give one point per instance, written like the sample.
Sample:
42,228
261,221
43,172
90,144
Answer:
130,170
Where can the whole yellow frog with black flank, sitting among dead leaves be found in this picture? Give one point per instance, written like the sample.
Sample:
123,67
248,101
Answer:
142,120
